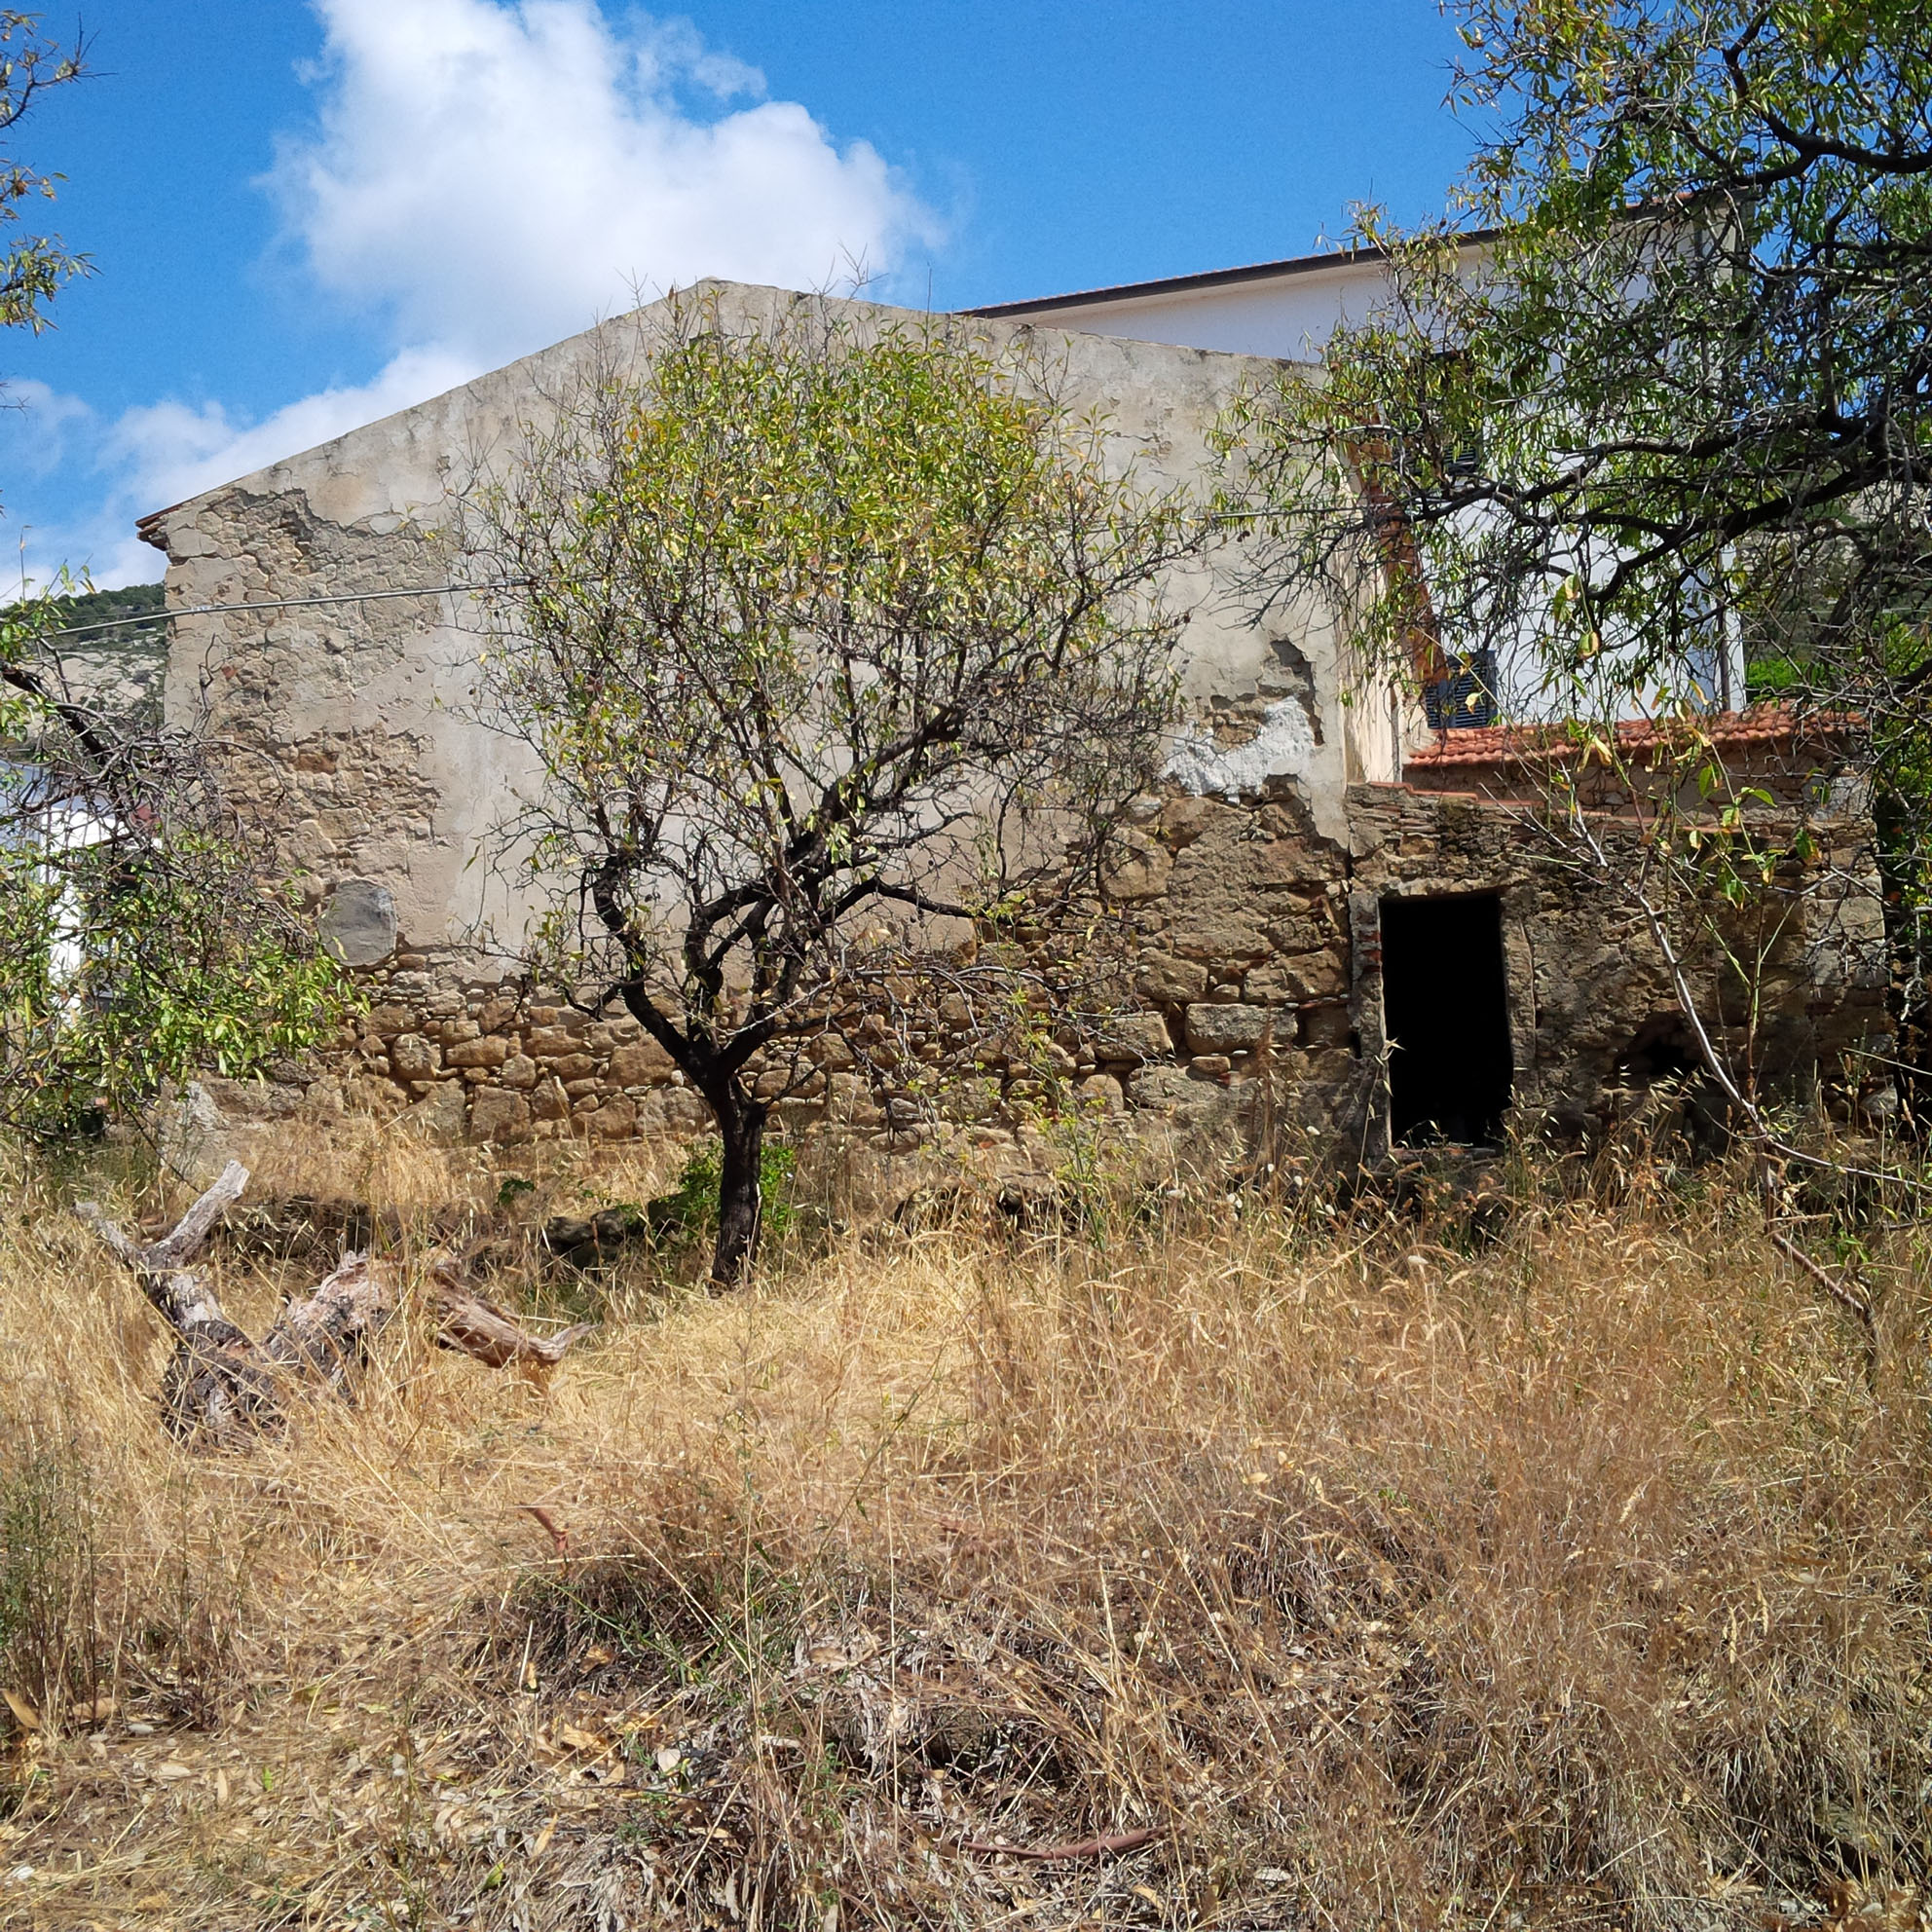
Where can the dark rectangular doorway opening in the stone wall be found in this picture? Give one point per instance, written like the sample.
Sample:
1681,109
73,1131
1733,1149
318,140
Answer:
1446,1017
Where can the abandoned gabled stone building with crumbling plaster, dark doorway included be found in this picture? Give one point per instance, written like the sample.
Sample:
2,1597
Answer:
1330,892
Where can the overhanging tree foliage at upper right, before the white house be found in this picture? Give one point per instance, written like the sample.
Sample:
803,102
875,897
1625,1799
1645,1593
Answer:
1659,397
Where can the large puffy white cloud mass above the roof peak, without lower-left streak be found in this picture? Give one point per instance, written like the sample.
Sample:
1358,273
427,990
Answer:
499,175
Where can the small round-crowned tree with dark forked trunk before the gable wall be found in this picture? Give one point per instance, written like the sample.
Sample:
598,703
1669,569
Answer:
838,648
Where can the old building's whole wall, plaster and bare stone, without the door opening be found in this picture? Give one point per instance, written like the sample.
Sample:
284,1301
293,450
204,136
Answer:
1257,924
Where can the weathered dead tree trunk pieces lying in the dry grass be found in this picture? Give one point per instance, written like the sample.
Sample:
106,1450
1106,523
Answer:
223,1386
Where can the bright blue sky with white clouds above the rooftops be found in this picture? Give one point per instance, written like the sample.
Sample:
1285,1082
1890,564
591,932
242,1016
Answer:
306,215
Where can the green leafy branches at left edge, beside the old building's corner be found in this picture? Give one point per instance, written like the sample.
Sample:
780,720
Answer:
144,936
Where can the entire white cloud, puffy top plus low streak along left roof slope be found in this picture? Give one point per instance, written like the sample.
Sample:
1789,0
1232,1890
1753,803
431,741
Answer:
488,177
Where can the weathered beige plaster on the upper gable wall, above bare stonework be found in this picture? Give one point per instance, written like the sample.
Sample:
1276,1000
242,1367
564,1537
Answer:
374,760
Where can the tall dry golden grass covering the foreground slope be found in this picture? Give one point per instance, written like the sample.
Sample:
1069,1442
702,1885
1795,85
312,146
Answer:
1574,1577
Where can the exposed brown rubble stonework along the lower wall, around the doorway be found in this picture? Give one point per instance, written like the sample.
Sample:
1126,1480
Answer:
1257,971
